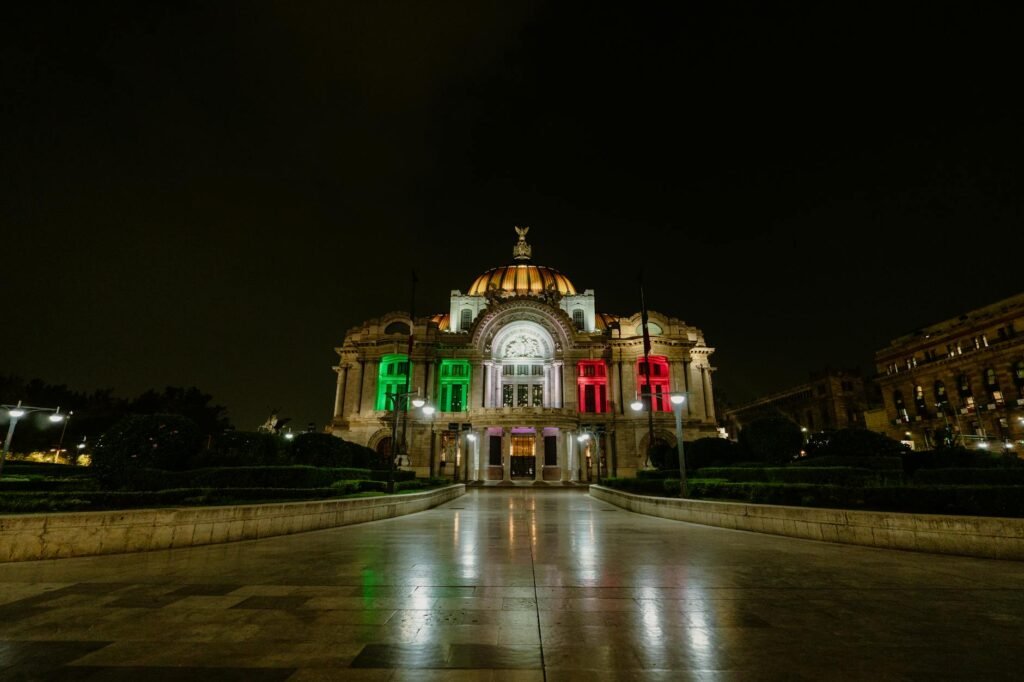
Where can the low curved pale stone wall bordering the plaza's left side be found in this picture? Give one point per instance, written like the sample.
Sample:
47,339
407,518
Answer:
28,537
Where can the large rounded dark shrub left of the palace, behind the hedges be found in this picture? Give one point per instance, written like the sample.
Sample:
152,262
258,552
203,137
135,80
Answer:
145,442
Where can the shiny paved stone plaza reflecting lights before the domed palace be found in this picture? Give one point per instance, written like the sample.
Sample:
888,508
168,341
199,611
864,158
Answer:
515,585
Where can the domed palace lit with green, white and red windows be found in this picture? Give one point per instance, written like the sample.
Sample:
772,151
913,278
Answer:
525,363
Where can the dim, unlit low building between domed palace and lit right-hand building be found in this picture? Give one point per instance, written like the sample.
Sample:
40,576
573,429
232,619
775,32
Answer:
832,400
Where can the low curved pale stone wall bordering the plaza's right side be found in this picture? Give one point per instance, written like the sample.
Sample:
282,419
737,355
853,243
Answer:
968,536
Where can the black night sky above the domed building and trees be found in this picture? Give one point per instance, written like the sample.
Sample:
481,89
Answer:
212,194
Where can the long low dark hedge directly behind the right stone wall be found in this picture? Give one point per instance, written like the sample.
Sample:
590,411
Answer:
963,500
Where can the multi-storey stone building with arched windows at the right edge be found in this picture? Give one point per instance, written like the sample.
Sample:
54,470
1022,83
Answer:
962,377
